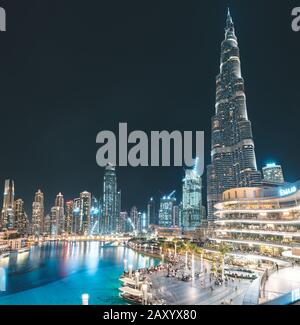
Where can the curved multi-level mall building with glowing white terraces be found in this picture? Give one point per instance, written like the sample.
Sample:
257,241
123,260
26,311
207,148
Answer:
263,220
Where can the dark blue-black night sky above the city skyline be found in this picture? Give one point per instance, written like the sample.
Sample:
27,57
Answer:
70,69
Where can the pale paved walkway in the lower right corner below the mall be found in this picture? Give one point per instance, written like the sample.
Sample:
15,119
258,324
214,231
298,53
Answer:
281,282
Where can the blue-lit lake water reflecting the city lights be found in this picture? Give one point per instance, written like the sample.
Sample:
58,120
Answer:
59,273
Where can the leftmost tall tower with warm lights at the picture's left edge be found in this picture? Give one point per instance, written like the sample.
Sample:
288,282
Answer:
7,215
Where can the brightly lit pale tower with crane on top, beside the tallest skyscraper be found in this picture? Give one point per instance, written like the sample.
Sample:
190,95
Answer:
191,199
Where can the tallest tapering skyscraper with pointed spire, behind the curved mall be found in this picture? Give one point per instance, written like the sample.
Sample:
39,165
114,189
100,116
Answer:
233,162
